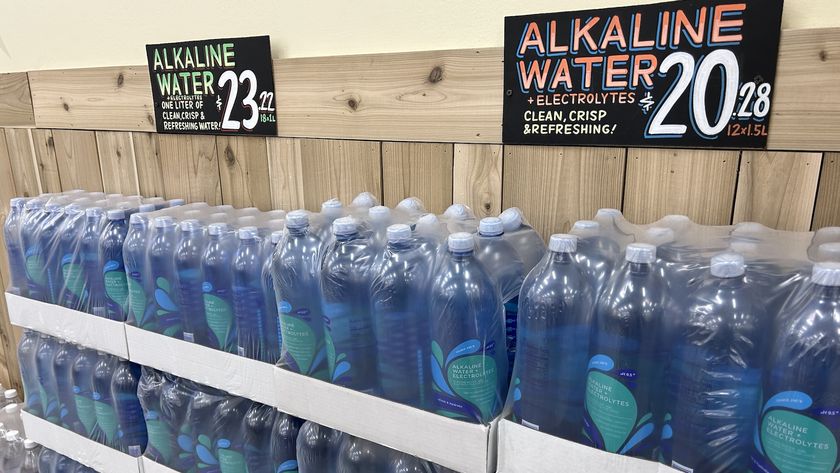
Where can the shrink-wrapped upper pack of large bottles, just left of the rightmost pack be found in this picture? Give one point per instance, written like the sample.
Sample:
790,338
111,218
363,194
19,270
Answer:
404,304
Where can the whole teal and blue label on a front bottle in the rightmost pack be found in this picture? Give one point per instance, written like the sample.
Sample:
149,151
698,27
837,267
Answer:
614,420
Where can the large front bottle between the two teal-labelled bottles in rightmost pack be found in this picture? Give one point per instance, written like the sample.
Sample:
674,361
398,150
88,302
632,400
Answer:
714,381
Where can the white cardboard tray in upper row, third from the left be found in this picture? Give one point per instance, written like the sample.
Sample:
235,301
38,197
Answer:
462,446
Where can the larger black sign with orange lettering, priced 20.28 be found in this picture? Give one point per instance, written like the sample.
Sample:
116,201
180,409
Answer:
690,73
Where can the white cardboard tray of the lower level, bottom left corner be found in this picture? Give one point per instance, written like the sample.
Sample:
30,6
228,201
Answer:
70,444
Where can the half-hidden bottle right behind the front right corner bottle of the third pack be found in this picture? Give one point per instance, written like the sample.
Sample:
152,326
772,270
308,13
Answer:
502,261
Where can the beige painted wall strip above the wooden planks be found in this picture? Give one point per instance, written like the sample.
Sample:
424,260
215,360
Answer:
55,34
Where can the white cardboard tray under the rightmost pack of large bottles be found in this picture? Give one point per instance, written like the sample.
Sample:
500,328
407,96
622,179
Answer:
524,450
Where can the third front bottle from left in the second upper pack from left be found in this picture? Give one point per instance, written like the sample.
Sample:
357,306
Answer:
188,254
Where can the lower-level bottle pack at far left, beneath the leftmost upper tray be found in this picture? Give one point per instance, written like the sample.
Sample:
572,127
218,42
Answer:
91,393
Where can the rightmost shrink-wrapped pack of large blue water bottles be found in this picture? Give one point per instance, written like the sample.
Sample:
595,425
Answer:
710,349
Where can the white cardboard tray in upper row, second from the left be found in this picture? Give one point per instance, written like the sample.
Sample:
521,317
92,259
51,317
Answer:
235,374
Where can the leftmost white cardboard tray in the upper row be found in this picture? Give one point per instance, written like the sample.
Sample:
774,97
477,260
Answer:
71,325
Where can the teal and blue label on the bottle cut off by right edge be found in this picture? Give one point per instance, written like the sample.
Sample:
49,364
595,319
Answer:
792,438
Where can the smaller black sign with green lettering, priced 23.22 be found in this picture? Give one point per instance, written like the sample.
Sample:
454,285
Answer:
216,86
